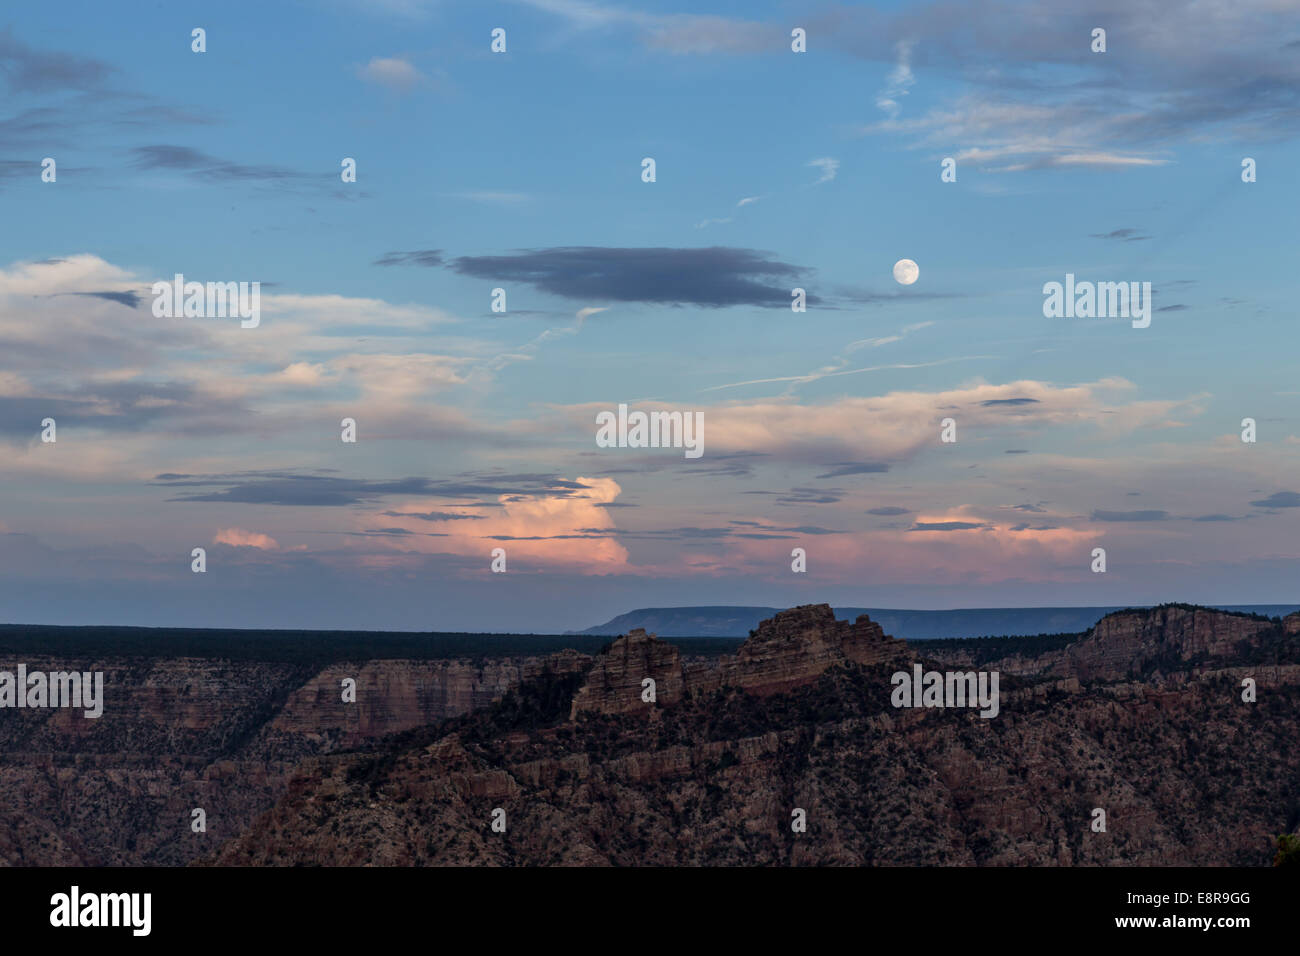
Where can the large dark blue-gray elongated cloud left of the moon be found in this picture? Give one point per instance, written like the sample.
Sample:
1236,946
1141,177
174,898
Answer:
714,278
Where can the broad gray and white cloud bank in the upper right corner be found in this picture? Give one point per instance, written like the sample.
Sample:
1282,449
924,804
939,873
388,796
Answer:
1033,94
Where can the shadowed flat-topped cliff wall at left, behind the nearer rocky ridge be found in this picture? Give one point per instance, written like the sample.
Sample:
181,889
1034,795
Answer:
180,734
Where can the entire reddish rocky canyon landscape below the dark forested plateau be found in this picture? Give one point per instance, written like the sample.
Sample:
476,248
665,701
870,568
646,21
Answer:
1142,716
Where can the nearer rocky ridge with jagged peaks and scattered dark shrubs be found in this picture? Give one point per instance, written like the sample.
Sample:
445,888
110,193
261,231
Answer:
1186,771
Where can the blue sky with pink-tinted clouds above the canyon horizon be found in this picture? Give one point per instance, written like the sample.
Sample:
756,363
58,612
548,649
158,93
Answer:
525,171
